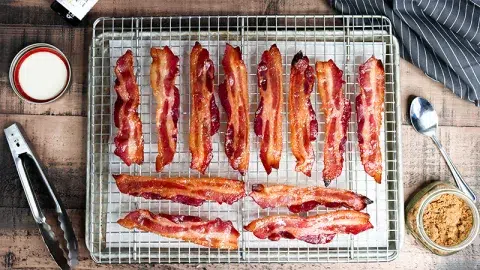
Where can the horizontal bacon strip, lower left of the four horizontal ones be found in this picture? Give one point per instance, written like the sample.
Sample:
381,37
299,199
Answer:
208,233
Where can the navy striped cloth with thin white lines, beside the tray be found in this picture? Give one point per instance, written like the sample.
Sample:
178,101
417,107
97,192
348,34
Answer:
442,37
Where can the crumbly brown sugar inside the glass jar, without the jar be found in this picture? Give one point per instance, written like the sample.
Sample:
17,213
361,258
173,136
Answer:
447,220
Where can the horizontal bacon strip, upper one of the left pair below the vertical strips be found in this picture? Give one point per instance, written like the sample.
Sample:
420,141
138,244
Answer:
190,191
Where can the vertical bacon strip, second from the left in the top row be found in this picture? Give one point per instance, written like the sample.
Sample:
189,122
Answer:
163,71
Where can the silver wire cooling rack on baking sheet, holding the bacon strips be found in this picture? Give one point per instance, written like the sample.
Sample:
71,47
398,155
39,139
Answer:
348,40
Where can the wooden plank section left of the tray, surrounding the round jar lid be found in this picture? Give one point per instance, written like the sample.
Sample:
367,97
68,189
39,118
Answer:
72,41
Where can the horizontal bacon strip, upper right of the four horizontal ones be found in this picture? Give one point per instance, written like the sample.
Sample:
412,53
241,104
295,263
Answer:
303,199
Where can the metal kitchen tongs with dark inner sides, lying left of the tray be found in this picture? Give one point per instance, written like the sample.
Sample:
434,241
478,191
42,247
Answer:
21,152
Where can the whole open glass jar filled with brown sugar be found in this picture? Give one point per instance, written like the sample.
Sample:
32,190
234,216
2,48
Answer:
442,218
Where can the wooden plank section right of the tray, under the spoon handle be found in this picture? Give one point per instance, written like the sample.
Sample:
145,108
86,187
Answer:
422,162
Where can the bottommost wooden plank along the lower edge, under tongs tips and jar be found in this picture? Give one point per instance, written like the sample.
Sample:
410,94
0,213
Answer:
24,248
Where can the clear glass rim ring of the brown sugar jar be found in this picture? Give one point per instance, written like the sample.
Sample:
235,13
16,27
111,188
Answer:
475,216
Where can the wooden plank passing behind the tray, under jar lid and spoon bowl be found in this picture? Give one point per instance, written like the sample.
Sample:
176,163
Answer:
75,41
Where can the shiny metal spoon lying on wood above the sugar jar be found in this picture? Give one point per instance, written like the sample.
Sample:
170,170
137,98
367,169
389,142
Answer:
425,121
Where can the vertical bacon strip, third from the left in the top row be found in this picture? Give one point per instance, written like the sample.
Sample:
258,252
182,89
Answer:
204,117
